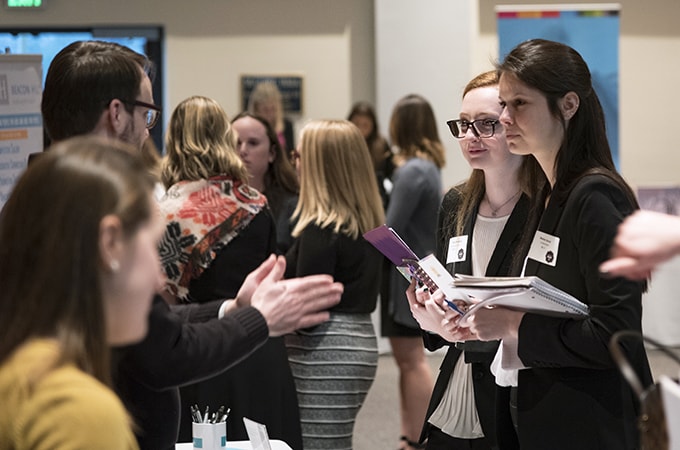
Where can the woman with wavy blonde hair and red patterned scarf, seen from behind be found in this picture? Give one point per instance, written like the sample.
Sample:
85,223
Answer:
218,230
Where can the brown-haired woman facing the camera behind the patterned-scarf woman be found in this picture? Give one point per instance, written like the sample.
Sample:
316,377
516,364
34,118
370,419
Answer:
270,172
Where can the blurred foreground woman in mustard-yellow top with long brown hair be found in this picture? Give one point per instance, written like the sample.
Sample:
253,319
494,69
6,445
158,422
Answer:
87,206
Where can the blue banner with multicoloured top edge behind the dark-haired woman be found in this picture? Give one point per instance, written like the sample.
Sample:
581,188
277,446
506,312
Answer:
593,30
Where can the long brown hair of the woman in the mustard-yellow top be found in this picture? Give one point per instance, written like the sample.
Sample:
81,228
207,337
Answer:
49,257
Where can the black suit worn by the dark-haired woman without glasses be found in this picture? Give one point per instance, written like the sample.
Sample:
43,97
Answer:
573,396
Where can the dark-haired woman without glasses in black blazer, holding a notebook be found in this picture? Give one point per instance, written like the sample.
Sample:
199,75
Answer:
570,392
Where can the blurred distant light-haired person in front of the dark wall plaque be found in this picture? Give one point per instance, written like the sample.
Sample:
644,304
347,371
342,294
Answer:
266,101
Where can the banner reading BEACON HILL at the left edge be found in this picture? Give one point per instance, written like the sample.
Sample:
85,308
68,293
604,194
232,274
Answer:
21,131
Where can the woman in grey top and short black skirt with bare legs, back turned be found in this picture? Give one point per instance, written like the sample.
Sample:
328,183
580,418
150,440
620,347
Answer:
412,212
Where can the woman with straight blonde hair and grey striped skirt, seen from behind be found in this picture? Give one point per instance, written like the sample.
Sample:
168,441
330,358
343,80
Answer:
334,363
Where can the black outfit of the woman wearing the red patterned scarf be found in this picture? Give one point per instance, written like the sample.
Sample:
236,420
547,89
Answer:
261,387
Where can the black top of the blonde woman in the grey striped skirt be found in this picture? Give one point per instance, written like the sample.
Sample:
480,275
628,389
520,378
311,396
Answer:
353,262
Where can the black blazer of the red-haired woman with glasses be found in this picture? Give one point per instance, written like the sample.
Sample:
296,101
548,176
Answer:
479,354
